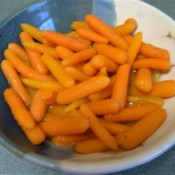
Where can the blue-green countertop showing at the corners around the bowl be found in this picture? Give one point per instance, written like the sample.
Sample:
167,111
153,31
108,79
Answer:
11,164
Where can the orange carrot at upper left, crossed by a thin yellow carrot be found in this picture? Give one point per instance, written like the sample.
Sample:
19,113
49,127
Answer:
34,57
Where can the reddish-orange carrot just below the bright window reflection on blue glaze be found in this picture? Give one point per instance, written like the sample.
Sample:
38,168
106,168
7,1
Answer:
61,39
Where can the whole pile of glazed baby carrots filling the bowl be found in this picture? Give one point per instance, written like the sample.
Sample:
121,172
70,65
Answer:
96,88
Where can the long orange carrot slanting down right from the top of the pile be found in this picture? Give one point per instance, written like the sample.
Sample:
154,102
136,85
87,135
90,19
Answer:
100,27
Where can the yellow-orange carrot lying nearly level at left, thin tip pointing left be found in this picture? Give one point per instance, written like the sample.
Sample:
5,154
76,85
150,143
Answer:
41,84
